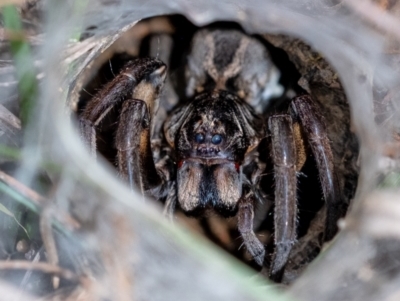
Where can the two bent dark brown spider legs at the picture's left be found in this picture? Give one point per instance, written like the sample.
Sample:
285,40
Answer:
137,86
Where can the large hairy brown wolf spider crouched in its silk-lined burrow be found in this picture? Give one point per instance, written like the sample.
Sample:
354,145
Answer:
212,136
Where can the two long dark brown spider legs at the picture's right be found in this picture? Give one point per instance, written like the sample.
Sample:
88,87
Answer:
288,153
